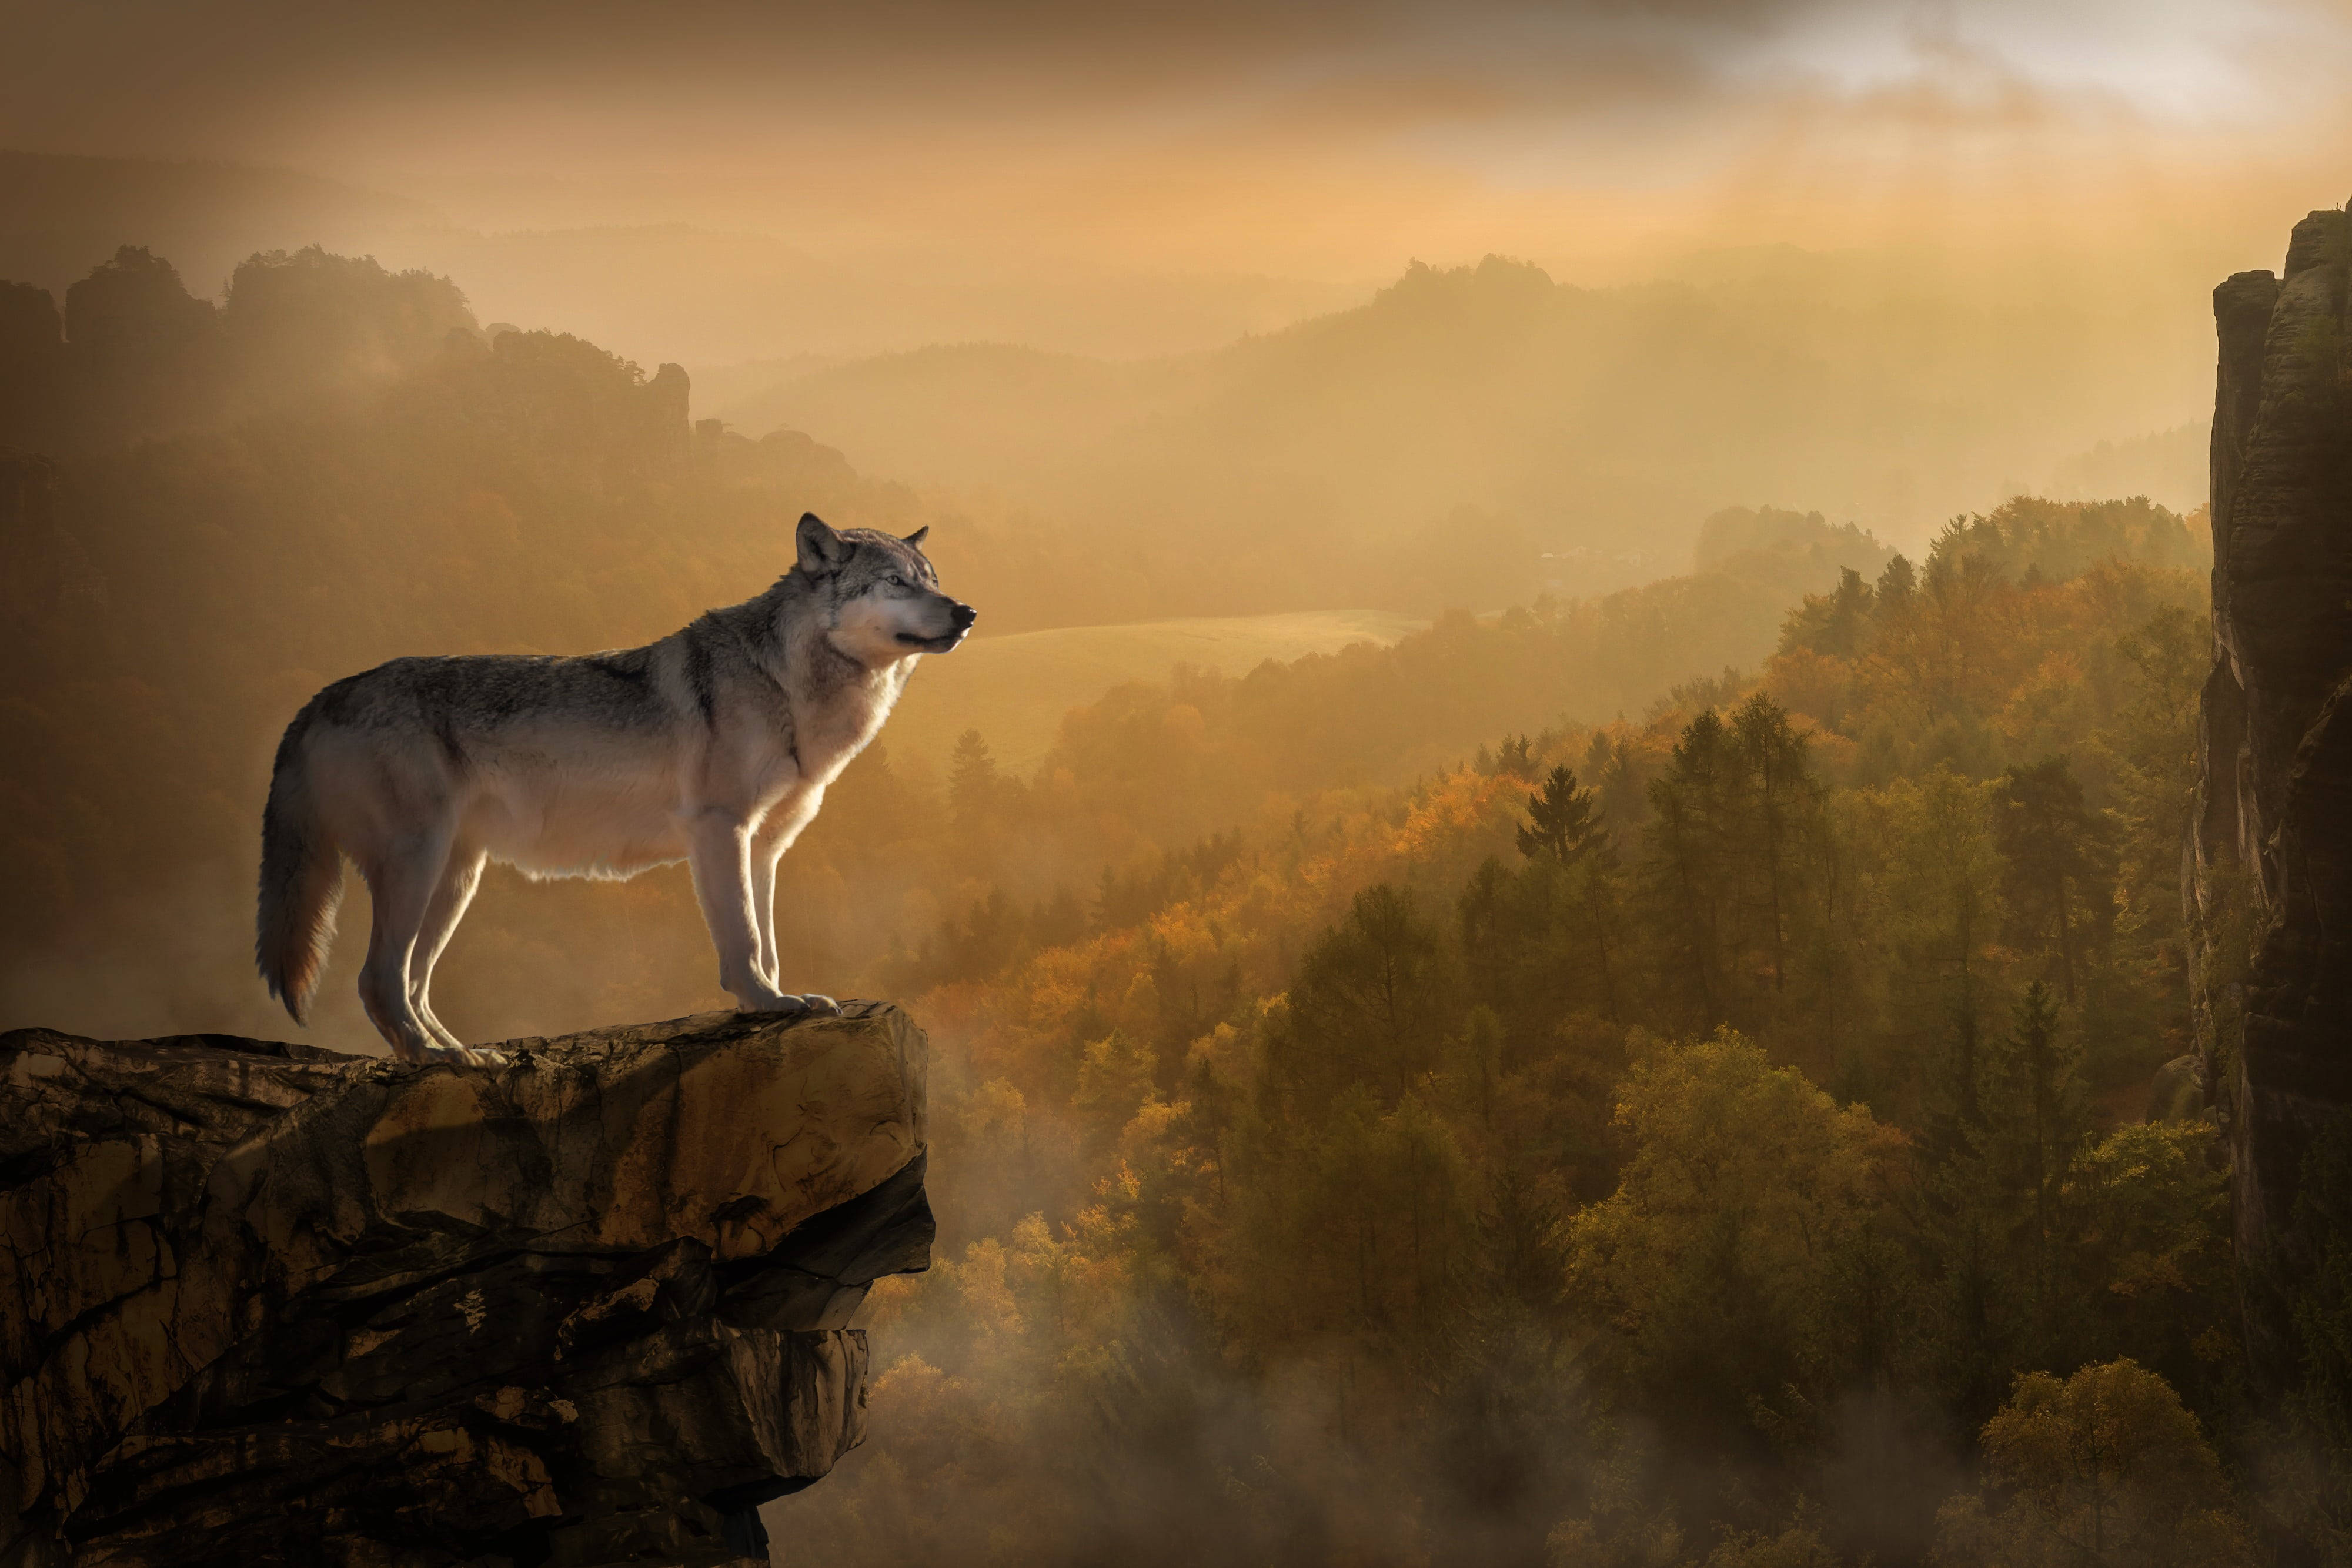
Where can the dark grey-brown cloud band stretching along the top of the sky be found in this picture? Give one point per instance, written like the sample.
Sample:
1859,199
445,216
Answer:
276,76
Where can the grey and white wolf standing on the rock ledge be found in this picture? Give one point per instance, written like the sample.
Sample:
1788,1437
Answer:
711,746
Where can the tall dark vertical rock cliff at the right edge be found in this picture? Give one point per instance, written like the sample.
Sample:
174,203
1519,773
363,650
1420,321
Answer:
2271,847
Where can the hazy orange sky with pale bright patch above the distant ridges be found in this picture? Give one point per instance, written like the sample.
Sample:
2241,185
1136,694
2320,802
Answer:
1297,140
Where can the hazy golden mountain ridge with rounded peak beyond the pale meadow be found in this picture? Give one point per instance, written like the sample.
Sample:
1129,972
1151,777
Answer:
1586,417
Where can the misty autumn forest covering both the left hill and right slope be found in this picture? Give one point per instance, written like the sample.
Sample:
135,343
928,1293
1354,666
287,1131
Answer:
1671,1076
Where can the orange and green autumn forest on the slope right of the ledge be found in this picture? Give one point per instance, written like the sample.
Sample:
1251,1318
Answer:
1737,1134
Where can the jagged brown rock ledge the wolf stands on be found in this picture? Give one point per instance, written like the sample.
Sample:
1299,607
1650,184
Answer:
276,1306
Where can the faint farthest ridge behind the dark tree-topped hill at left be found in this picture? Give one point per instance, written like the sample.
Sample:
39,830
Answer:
653,290
